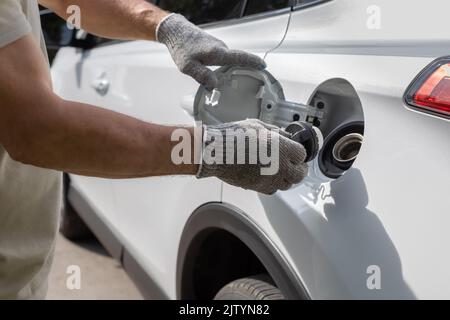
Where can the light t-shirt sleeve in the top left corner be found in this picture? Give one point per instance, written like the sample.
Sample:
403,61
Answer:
13,23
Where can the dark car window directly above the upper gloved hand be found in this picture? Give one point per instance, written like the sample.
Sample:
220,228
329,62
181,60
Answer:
205,11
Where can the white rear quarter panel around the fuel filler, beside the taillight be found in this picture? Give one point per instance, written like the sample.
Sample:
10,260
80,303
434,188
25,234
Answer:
390,213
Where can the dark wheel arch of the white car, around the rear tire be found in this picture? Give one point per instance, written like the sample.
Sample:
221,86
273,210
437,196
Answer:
216,217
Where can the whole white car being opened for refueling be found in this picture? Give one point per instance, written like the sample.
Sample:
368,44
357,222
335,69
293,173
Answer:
374,227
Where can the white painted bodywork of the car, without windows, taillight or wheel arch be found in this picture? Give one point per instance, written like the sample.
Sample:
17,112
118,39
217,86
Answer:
390,211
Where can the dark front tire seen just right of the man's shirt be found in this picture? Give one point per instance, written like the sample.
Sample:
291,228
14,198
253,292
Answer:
72,226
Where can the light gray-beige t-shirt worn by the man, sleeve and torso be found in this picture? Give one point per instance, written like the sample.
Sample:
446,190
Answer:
30,197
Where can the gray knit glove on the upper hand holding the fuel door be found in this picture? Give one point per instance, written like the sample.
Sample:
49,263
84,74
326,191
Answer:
193,49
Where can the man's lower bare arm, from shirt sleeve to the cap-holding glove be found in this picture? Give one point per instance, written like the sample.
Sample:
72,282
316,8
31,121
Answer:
39,128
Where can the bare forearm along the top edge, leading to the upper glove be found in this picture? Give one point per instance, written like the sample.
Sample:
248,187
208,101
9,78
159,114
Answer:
114,19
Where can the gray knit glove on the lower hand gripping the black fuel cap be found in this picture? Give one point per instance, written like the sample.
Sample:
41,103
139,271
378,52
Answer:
291,157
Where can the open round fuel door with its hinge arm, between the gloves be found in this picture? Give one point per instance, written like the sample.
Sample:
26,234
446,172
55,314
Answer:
250,94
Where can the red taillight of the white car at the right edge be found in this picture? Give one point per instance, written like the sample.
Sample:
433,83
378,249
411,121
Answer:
430,92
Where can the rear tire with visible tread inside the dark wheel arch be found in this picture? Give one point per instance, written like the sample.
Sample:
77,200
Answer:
260,287
